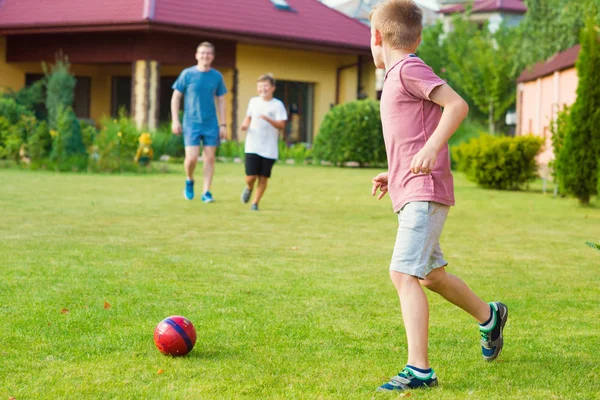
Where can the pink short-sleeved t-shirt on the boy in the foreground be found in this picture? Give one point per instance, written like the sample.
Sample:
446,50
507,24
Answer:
409,119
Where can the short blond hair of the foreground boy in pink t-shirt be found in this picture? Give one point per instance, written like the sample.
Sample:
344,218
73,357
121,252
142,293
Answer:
400,23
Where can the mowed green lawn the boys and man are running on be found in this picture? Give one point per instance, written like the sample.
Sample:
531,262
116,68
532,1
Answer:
293,302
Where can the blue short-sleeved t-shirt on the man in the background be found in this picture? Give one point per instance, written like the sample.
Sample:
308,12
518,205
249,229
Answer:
199,90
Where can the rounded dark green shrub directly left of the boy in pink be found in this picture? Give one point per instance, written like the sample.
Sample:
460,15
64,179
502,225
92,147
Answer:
351,132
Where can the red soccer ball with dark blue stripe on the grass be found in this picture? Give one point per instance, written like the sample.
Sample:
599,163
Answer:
175,335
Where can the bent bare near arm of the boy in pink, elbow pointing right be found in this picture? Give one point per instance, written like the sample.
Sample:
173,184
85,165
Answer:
455,111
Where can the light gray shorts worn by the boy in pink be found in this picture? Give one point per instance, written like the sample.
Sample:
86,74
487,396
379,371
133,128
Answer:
417,250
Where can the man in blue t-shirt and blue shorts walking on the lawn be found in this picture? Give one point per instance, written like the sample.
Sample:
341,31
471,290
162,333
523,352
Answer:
200,85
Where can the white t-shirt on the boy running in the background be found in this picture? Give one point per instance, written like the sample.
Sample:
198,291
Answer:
262,137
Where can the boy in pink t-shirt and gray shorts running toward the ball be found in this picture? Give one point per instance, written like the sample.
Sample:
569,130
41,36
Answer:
419,181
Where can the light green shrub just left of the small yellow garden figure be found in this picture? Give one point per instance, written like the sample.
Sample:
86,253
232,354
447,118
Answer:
115,145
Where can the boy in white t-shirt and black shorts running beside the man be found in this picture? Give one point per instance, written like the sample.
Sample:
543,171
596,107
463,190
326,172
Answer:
264,118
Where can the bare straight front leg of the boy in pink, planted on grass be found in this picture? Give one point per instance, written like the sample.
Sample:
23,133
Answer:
415,313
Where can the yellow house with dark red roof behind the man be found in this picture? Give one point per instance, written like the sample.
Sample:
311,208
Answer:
127,53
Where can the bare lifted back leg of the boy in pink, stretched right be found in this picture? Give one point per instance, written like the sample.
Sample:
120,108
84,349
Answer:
456,291
